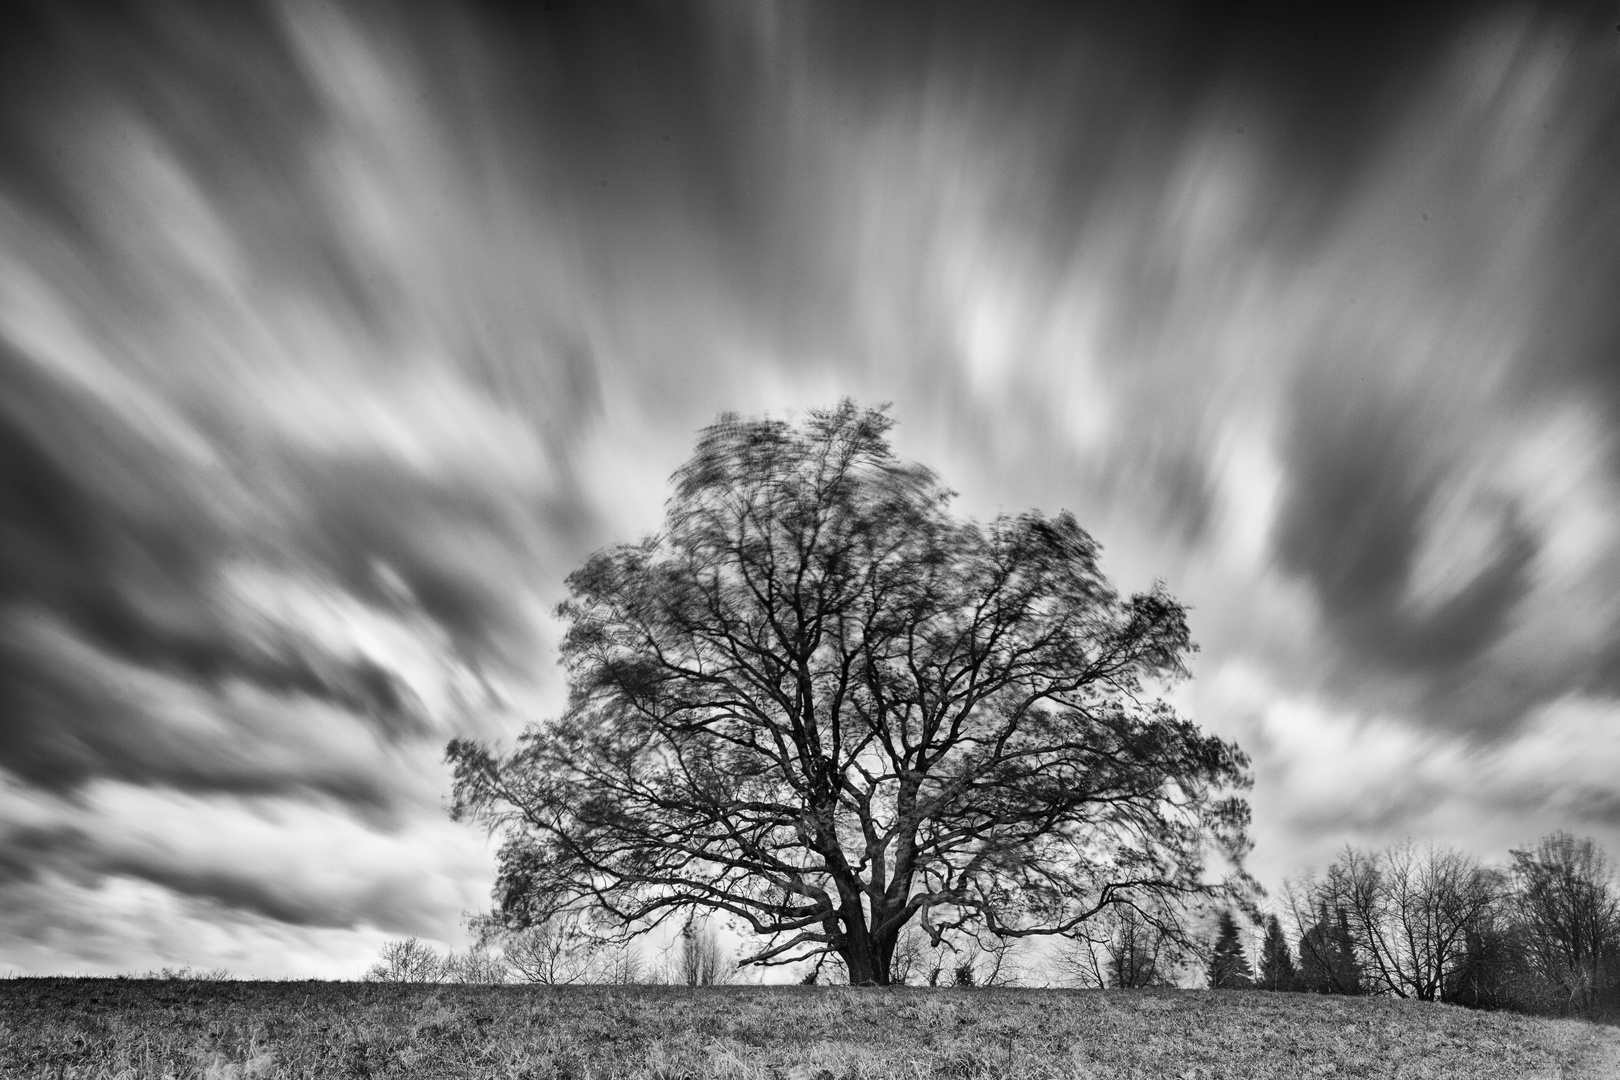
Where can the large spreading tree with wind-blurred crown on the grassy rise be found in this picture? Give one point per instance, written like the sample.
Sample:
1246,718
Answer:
825,708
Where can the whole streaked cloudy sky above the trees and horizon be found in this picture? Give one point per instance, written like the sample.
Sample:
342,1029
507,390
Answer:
335,336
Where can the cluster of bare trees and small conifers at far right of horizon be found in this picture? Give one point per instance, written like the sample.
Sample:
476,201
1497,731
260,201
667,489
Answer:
1431,924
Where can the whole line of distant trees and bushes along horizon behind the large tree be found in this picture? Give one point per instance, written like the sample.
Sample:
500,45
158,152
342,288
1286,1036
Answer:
1428,924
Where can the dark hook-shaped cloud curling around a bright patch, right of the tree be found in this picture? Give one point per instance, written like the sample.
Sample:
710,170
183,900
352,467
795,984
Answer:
1360,488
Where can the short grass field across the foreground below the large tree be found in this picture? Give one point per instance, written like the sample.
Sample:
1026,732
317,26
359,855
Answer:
236,1031
